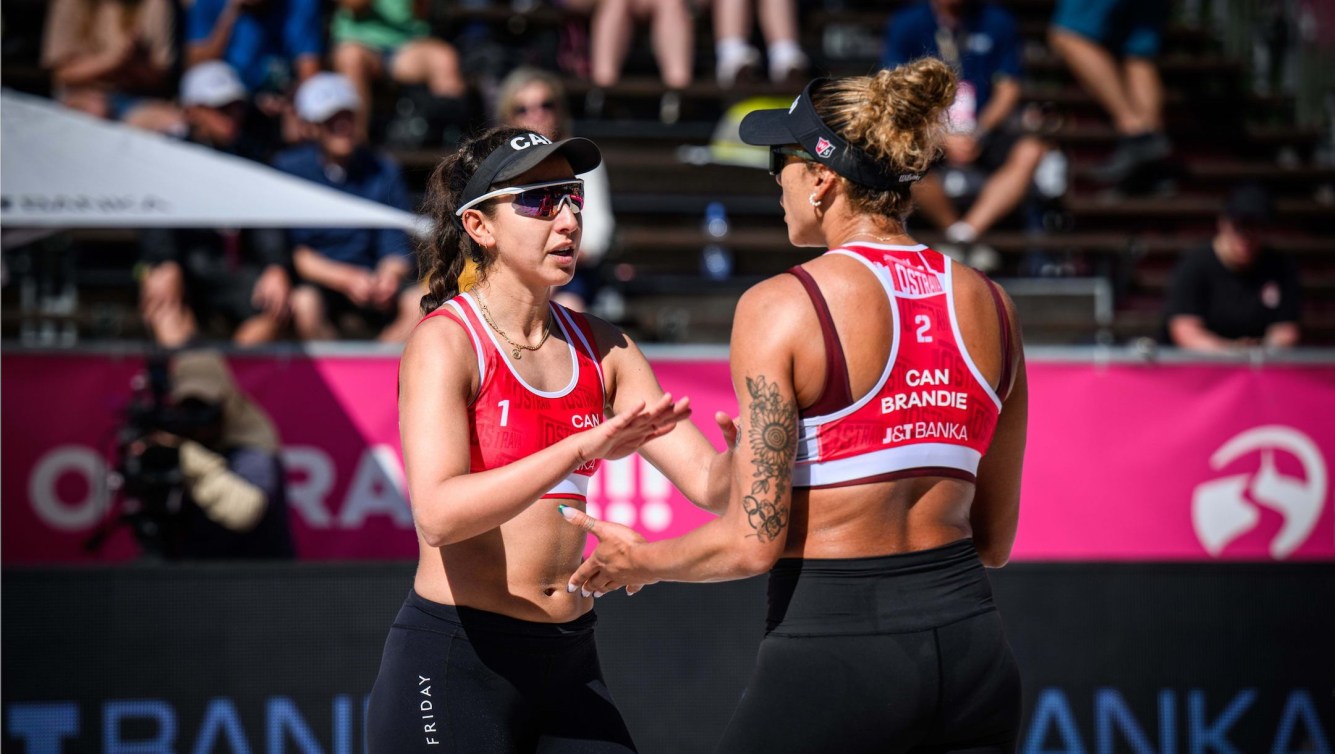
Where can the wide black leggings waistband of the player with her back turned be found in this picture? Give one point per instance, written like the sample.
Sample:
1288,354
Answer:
884,595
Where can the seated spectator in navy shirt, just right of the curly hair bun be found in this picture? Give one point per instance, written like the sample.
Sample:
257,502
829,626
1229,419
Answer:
982,42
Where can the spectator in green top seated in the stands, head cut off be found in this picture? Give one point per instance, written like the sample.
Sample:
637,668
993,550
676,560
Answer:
389,39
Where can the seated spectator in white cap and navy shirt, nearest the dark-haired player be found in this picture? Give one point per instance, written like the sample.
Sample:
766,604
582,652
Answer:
348,277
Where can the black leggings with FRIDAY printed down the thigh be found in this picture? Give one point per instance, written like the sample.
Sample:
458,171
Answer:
464,680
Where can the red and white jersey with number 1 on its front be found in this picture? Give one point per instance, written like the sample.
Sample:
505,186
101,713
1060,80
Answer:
511,420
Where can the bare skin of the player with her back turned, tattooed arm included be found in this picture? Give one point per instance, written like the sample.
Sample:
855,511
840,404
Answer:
772,338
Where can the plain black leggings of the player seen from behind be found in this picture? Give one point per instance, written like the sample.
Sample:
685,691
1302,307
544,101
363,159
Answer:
900,653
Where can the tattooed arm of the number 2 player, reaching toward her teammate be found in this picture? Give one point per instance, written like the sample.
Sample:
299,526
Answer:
754,530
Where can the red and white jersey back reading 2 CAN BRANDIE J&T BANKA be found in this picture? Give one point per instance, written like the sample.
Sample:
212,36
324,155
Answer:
931,413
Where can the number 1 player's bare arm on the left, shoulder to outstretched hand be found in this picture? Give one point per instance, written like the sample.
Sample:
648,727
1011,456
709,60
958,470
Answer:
449,504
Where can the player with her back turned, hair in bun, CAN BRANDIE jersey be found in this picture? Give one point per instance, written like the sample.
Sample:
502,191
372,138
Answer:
883,401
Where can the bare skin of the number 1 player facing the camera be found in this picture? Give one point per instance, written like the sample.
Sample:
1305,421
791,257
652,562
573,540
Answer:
487,541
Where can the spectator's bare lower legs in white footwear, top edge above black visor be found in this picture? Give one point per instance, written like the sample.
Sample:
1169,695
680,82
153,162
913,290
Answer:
738,59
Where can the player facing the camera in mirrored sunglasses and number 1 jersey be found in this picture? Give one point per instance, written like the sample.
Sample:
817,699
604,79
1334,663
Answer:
501,408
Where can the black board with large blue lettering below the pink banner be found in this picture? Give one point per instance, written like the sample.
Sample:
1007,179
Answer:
278,659
